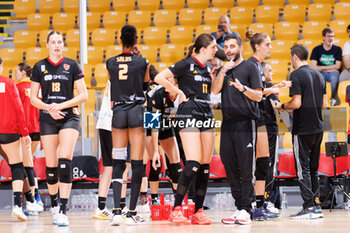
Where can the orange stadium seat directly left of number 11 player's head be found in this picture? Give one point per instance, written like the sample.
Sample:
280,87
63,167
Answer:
171,53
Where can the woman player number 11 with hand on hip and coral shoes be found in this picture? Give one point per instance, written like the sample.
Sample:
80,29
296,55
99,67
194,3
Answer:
194,82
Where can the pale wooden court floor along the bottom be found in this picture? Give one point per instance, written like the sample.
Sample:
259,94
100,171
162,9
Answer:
338,221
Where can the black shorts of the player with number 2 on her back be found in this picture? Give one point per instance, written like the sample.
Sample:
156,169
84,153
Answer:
129,117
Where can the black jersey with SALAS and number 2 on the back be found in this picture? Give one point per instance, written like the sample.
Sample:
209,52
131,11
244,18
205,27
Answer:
127,73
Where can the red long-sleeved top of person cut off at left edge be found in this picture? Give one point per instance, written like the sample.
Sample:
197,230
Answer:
12,117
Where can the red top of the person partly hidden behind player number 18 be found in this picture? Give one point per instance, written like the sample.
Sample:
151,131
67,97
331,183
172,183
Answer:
32,113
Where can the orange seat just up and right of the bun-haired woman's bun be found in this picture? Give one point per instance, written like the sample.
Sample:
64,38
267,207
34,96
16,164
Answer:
286,30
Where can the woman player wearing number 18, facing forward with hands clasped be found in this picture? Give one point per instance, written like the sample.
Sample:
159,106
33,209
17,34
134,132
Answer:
59,119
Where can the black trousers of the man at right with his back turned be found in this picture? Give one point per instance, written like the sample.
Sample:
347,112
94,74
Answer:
307,155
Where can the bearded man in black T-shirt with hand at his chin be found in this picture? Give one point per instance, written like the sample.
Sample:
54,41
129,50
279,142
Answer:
241,89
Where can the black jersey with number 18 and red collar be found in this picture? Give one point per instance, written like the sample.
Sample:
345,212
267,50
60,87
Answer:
57,84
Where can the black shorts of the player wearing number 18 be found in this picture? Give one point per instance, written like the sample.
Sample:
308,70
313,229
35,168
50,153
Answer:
54,128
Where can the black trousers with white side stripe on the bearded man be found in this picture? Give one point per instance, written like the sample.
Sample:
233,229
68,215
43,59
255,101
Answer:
237,149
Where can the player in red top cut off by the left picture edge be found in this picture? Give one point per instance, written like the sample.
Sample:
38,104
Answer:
12,124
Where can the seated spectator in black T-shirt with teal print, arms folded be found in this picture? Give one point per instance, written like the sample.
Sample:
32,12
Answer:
326,58
